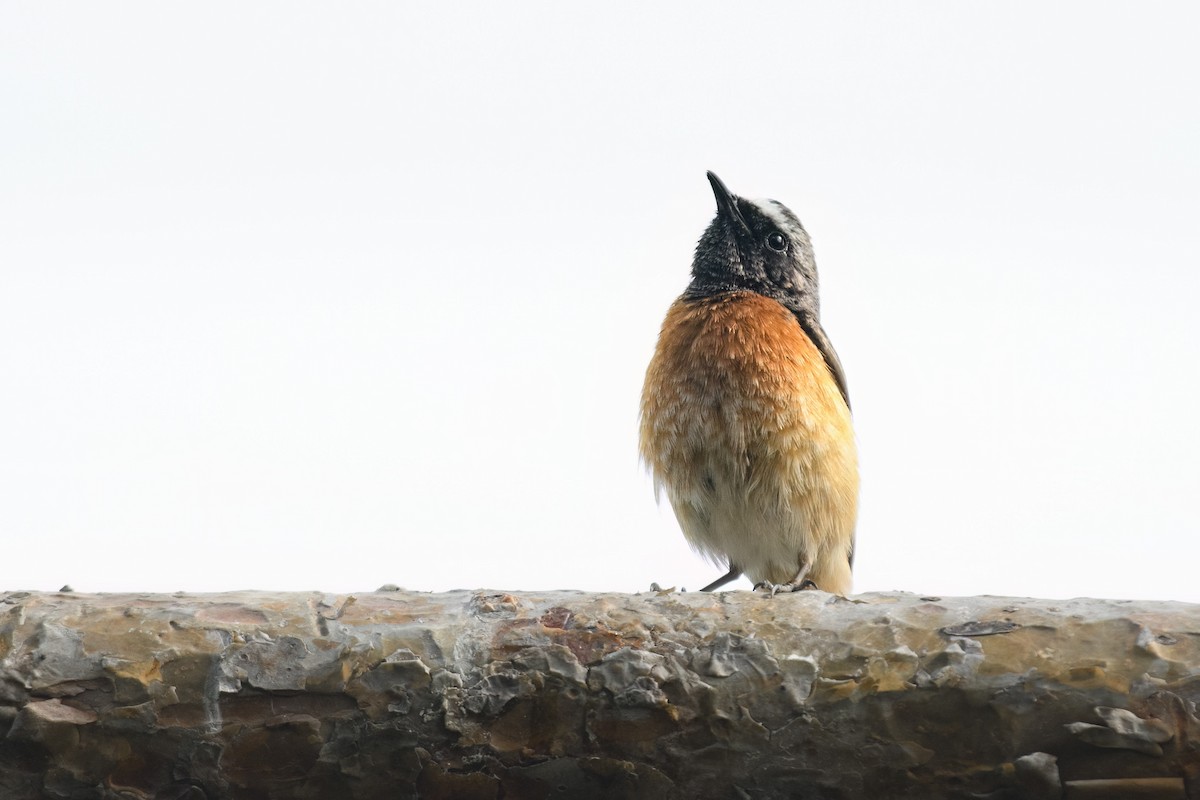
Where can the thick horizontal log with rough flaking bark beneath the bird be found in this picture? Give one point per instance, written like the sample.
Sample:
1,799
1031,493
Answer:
490,695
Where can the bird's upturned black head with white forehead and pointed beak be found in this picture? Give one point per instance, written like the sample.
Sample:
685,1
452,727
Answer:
757,246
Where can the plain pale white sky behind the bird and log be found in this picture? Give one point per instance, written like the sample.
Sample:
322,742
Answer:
323,297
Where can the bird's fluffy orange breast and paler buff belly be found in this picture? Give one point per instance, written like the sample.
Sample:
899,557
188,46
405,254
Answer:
745,429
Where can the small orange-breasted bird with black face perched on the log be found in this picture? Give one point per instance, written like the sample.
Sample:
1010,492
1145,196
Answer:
746,422
